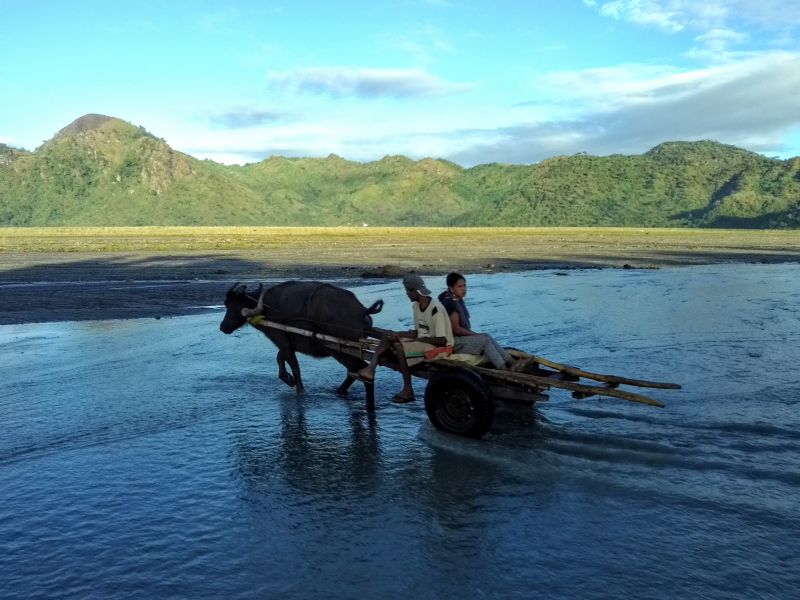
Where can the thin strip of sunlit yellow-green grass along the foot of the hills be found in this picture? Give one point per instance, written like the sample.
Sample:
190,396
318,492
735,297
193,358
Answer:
124,239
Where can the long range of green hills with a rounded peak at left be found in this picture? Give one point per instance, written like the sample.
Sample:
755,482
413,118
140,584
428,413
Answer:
104,171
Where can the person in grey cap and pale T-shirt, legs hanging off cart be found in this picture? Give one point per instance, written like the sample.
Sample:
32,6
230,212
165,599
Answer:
432,329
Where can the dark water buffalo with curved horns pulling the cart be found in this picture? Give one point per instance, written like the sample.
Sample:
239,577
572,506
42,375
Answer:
311,305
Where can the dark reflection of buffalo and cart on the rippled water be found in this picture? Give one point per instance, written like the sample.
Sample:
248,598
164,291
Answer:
347,450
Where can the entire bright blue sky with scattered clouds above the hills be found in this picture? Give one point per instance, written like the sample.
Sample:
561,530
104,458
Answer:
466,80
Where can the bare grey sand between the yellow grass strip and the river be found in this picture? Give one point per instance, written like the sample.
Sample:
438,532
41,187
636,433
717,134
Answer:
73,286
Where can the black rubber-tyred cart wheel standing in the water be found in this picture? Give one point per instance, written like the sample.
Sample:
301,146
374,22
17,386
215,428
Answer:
458,401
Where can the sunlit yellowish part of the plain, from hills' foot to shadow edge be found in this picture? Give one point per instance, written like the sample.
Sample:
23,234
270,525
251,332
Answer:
412,246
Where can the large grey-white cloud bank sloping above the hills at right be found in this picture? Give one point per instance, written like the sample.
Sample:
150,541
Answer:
753,104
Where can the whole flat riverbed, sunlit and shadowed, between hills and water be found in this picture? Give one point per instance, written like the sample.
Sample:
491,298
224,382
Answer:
54,274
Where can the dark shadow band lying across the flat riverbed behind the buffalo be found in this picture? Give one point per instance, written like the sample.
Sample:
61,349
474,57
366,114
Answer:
130,285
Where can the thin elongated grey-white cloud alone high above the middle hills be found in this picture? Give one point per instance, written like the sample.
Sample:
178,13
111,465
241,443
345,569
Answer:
365,82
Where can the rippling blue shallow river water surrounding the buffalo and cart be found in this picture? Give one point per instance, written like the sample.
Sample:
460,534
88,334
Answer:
159,458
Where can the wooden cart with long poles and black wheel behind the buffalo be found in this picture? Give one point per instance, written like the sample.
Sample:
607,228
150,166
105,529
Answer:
460,397
